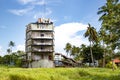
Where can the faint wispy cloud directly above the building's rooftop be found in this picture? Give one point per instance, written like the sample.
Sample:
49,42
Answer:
43,14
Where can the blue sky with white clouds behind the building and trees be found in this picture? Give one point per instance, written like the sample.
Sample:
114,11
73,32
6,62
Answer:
70,18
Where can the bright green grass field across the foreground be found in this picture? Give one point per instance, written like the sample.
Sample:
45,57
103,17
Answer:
58,74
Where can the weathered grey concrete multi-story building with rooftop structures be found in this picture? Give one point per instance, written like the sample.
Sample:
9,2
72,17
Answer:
40,43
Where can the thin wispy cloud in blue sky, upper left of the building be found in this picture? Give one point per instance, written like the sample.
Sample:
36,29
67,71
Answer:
21,12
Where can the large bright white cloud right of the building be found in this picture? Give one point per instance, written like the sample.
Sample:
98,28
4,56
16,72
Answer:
68,32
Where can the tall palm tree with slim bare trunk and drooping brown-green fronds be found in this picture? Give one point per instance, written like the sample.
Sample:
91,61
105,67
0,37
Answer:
92,37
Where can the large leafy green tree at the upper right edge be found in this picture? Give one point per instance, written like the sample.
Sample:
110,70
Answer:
111,22
